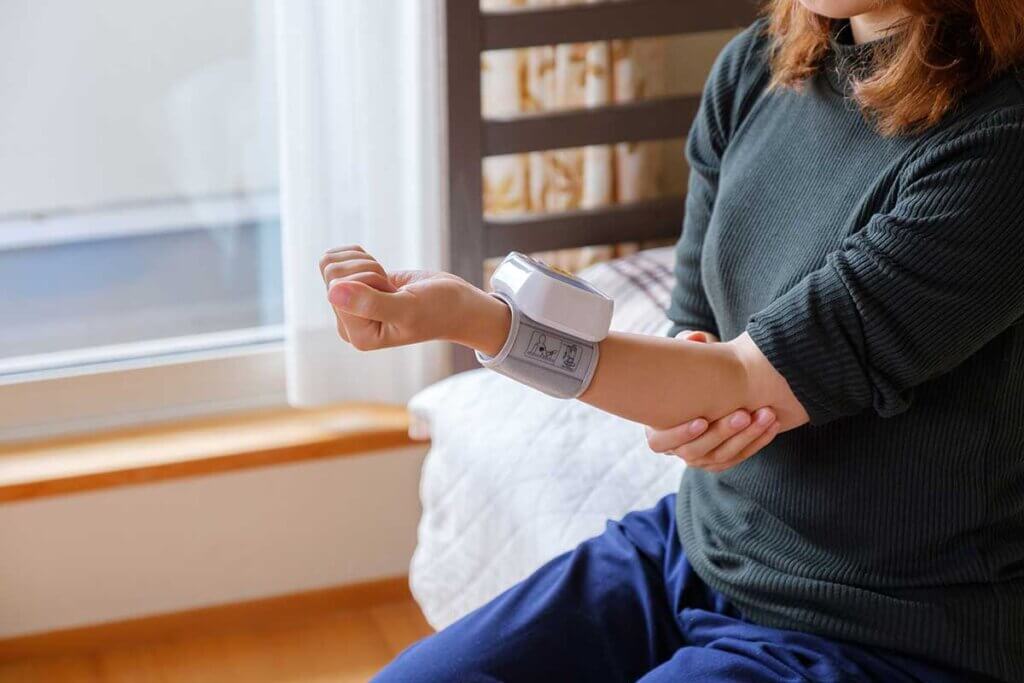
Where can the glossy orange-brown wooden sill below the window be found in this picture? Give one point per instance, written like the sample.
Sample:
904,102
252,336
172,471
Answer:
142,455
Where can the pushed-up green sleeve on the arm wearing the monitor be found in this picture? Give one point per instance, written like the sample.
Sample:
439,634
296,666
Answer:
918,290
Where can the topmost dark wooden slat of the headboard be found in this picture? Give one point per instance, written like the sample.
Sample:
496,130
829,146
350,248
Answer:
608,21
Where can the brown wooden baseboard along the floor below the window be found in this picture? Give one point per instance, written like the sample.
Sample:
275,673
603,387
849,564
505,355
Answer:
294,607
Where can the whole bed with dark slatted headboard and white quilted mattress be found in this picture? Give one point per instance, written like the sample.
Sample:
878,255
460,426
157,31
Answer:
515,478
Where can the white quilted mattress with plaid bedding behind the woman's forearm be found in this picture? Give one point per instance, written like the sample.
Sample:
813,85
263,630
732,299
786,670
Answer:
515,479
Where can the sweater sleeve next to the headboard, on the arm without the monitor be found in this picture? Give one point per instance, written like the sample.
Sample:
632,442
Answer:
737,74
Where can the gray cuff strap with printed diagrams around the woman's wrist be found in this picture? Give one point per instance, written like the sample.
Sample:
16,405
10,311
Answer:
551,362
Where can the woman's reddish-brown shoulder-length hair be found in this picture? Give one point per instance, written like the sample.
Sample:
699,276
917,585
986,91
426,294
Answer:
944,49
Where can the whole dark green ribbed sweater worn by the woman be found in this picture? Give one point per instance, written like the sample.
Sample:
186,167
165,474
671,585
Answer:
884,278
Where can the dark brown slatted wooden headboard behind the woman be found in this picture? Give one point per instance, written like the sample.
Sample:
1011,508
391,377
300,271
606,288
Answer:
473,237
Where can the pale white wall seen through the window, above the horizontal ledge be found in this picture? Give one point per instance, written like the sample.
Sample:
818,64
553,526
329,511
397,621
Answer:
115,101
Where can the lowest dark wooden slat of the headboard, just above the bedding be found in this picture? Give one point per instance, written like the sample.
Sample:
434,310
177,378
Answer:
656,220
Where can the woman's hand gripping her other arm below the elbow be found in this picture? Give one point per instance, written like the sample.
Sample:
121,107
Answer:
719,446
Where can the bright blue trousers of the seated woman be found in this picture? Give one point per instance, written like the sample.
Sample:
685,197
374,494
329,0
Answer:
628,607
